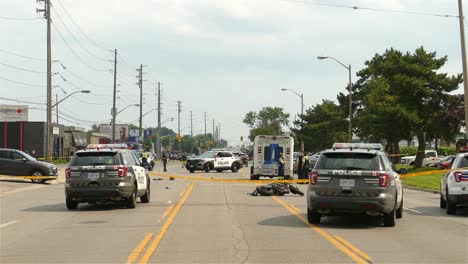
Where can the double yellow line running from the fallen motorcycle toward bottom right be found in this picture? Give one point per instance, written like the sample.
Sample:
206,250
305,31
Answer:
344,246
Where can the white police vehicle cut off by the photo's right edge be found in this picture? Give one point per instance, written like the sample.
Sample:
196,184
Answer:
454,185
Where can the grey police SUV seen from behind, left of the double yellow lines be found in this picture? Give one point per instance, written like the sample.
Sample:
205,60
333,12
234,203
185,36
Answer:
105,175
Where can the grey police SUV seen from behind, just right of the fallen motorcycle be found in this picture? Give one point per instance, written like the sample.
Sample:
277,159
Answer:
356,179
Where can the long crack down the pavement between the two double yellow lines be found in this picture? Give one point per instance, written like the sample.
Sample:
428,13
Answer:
241,246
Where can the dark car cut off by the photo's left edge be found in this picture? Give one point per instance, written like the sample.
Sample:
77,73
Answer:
18,163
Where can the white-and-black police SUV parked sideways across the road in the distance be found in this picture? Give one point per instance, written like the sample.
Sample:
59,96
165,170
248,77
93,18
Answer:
214,160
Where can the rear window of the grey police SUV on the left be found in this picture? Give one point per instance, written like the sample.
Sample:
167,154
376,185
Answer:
96,159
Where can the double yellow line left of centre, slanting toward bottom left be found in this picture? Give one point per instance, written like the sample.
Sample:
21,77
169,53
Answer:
170,213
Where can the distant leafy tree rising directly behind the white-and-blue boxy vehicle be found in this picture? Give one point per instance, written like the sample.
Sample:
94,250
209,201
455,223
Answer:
268,121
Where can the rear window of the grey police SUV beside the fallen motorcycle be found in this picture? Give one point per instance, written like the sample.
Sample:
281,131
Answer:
349,161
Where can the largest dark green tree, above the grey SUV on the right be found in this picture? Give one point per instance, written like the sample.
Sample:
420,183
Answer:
400,94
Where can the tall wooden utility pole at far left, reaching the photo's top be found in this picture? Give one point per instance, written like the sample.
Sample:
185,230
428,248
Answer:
48,145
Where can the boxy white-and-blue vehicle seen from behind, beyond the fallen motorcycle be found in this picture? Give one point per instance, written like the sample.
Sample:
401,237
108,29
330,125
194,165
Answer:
266,155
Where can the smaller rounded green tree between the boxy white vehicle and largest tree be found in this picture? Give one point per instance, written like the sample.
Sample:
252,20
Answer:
323,125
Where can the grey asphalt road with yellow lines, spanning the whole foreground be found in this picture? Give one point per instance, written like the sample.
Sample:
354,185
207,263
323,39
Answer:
202,221
